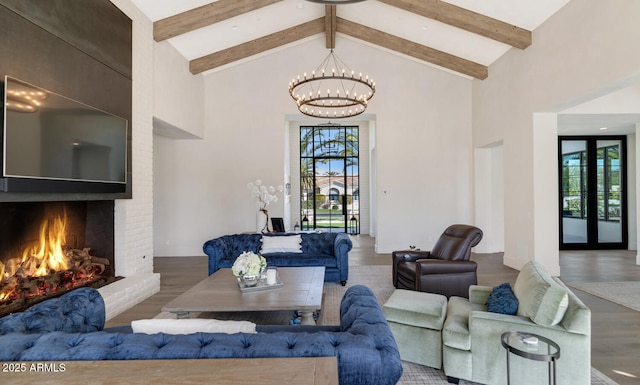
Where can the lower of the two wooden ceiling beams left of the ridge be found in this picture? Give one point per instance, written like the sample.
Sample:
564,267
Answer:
257,46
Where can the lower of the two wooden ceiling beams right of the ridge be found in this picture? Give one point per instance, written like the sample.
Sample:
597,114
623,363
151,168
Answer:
412,49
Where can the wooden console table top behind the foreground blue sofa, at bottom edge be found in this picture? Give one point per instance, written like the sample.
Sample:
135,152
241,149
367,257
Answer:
264,371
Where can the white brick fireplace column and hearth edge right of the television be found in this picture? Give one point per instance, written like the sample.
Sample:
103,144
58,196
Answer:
134,217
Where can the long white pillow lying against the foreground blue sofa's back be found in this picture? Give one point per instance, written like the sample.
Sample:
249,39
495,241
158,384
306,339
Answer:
190,326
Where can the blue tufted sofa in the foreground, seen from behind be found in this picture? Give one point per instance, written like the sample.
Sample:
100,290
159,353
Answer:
69,328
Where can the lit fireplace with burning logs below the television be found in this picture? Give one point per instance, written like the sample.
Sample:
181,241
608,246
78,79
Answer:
49,248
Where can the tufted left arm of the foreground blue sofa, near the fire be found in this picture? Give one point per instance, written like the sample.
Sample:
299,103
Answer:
78,311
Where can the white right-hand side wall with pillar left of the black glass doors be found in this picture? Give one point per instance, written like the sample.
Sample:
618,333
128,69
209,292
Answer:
581,53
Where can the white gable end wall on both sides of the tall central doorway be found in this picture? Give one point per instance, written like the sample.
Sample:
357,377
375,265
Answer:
423,153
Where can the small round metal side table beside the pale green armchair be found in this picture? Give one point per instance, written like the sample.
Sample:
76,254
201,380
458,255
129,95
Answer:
542,350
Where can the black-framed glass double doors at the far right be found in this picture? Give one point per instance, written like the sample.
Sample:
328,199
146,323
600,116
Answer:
593,189
